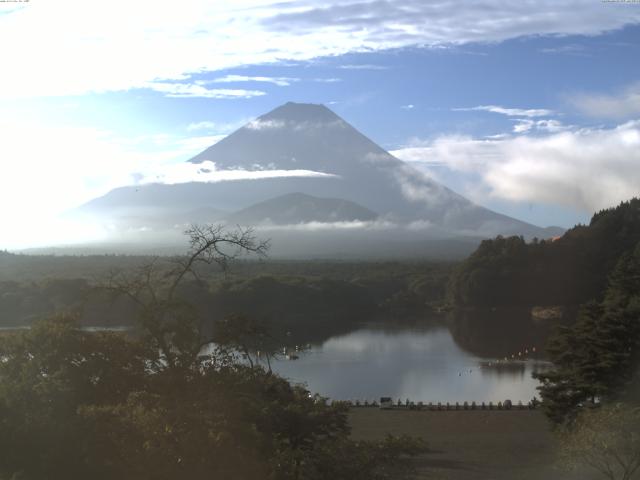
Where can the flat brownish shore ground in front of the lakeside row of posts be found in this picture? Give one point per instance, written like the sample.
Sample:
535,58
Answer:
471,445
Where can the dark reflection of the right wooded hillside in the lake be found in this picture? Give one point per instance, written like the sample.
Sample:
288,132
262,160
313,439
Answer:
499,333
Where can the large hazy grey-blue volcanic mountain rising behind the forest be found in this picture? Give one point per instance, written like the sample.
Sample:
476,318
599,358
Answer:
306,137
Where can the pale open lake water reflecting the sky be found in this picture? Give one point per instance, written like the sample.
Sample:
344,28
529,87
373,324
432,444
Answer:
421,364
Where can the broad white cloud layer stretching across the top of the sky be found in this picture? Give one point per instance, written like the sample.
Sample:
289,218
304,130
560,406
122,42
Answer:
117,46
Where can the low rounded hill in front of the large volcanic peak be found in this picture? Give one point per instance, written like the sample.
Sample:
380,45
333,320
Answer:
295,208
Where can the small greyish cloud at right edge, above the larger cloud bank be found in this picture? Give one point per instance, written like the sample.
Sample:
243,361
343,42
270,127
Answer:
625,104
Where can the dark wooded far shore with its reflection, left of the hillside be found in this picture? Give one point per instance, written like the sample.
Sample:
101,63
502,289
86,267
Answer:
310,308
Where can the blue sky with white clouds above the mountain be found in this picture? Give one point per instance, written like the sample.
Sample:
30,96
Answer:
529,108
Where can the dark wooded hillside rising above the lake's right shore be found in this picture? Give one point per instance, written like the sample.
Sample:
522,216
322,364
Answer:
565,271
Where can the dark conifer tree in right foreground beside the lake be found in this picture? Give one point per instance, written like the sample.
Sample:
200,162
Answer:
596,358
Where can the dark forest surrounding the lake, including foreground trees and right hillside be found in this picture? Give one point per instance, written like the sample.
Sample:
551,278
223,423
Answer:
149,402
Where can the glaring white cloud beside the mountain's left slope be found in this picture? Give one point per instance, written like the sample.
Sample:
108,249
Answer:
48,169
